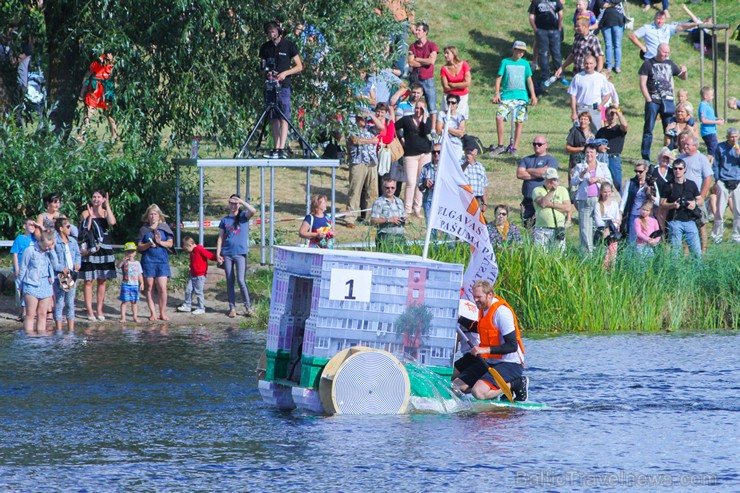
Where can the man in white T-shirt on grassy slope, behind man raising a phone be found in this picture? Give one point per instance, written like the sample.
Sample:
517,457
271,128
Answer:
589,91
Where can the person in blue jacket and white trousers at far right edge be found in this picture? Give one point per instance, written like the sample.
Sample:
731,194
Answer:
727,174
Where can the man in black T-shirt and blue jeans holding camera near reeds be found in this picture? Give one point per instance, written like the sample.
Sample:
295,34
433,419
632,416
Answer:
682,201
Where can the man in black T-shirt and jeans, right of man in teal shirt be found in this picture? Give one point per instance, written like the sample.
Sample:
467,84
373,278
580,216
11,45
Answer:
546,19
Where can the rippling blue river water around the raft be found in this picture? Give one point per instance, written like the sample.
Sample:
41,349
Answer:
178,410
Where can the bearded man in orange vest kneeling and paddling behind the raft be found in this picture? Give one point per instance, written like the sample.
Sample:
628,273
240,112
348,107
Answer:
500,347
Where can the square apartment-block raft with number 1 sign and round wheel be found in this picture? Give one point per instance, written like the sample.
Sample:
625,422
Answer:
361,333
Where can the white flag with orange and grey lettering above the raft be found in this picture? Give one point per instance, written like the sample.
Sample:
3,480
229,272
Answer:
455,210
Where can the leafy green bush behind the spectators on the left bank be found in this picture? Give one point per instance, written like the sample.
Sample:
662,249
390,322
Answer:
135,175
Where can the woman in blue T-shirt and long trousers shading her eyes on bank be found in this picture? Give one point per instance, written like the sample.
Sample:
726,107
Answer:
232,248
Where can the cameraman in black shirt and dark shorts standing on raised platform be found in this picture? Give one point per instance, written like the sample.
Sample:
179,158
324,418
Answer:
280,60
